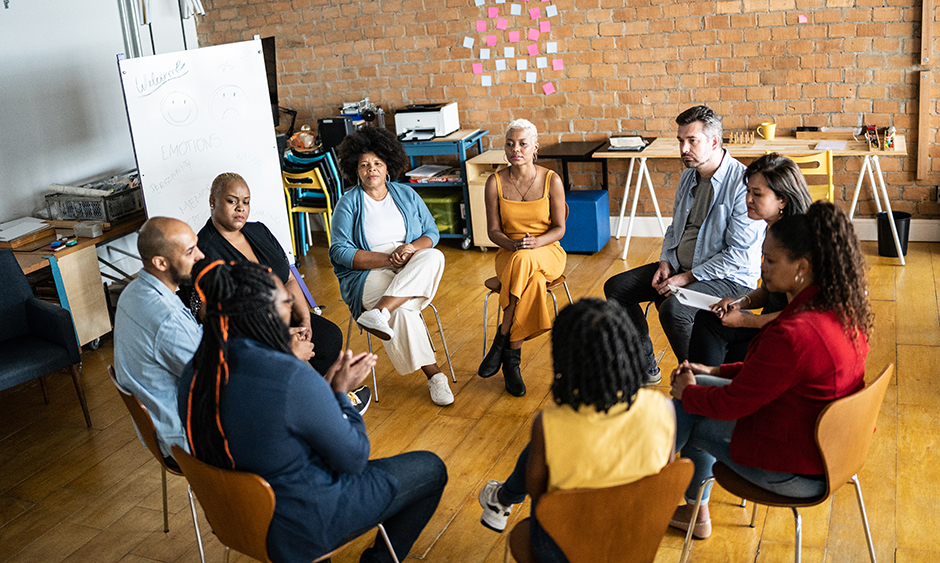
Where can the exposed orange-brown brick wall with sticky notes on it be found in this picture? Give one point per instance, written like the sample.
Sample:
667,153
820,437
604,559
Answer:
630,65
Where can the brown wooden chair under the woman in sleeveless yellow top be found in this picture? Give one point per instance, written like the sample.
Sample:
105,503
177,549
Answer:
611,525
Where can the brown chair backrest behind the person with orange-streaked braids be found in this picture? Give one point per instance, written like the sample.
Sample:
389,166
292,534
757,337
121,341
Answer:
239,506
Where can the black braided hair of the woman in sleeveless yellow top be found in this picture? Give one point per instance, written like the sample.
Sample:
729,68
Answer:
598,358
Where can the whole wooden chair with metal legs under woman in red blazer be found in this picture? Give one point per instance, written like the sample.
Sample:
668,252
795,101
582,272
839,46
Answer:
843,433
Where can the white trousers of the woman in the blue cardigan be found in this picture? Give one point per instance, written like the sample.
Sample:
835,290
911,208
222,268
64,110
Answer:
411,347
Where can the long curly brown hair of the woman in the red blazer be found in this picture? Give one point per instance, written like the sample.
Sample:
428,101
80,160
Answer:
826,237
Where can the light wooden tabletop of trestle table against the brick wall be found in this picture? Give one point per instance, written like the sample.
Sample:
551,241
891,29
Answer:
664,147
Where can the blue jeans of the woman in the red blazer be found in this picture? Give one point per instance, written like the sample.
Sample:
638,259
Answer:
705,440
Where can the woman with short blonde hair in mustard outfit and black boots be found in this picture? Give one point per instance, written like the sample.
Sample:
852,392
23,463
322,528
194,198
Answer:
525,217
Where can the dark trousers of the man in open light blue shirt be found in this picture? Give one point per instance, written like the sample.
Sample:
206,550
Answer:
636,286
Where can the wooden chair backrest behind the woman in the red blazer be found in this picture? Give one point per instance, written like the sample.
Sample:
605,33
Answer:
845,427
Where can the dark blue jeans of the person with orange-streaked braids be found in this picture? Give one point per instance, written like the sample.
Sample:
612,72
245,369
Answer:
421,480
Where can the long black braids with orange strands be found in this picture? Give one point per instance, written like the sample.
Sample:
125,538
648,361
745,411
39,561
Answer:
238,299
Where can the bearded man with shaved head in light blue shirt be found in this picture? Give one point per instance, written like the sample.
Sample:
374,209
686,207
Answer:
155,335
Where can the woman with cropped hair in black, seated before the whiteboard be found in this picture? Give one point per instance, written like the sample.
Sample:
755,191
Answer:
228,235
